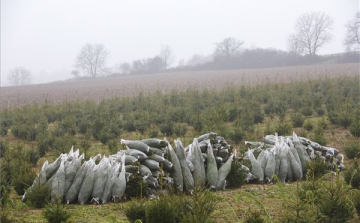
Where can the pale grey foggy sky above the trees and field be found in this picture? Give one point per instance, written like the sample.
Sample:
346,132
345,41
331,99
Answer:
45,36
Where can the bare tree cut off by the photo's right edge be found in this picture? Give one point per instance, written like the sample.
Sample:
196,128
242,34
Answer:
352,37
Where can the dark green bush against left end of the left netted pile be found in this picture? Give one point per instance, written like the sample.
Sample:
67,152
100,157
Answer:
38,195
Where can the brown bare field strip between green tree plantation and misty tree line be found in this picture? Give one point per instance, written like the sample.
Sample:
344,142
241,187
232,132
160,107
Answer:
122,86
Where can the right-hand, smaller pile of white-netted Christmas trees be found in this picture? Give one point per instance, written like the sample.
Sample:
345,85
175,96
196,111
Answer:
287,157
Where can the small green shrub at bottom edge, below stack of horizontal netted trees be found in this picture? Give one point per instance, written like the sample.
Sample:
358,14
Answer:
135,210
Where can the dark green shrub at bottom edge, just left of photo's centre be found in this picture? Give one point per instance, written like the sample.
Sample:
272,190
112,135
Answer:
161,211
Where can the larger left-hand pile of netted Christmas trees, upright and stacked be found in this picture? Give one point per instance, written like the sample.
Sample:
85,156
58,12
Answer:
204,163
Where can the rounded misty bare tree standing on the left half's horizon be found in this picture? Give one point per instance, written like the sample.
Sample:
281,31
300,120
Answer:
92,59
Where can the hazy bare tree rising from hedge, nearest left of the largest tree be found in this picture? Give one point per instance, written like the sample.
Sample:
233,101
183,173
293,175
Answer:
227,48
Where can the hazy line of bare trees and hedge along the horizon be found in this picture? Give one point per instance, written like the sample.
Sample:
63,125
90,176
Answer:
312,31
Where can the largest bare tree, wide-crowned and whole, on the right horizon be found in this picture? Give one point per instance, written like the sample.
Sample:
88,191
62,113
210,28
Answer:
312,31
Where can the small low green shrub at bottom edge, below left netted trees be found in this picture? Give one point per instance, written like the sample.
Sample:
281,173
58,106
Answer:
56,213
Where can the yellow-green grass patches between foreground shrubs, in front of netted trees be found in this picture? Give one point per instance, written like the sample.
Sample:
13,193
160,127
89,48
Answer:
233,205
